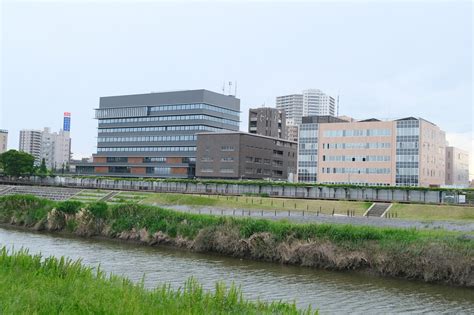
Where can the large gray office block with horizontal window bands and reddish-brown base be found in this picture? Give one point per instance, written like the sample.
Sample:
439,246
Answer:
154,134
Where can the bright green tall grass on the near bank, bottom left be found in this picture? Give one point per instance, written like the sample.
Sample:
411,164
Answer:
31,285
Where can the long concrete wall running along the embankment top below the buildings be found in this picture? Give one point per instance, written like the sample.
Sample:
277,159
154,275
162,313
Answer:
313,192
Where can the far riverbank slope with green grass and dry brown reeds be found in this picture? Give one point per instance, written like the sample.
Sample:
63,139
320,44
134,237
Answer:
429,255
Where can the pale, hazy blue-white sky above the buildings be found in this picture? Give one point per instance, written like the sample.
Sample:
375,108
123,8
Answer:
384,59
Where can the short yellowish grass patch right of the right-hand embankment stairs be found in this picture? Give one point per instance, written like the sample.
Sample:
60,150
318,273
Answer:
433,212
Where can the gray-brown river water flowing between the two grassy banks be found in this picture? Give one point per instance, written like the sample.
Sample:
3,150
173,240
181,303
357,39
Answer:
330,292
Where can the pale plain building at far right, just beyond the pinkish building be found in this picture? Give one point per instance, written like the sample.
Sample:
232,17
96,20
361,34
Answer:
457,167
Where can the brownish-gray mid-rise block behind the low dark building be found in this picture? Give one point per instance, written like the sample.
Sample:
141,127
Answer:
267,121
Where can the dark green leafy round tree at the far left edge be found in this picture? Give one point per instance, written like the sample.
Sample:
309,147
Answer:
16,163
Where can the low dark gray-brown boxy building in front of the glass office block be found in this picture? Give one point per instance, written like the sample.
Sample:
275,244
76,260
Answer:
240,155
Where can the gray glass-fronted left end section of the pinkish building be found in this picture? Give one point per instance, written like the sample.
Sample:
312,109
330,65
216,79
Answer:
308,146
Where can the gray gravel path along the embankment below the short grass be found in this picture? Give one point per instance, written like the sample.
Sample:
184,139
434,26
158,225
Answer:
306,217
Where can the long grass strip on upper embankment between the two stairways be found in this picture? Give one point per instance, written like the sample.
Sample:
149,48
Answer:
259,203
